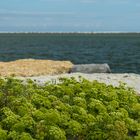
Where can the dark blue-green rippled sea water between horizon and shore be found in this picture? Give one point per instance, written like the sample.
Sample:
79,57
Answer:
120,51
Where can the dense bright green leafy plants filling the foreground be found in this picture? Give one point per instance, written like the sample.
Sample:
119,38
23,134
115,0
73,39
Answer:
69,110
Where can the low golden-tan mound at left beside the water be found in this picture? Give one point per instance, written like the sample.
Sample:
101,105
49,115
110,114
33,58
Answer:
33,67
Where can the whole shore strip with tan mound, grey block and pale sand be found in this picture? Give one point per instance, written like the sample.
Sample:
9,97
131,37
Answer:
42,71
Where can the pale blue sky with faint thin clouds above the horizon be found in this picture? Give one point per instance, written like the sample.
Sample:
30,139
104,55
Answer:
69,15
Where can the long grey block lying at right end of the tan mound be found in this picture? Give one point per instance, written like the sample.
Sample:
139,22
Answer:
91,68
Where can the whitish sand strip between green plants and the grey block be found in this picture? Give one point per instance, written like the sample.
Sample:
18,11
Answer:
132,80
